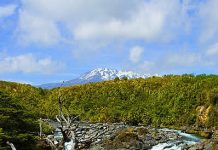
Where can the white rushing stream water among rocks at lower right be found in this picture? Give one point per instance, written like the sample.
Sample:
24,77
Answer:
188,139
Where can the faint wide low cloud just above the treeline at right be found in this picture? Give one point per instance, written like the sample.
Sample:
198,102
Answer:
180,62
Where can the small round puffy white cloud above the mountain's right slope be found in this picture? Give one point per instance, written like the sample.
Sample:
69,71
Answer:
135,54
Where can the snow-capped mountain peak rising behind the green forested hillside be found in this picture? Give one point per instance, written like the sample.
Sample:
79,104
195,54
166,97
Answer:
97,75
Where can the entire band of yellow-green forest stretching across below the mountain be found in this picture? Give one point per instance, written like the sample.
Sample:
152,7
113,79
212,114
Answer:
172,100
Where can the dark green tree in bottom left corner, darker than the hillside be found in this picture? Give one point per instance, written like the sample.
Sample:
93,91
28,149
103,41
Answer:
17,125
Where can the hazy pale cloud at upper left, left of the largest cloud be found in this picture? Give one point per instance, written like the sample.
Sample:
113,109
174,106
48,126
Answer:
36,29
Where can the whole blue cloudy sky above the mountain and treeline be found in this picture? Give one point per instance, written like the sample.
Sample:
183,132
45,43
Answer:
45,41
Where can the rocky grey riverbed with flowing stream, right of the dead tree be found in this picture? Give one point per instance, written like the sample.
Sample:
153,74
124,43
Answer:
122,136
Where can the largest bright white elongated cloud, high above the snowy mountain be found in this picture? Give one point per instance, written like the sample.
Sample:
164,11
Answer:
147,22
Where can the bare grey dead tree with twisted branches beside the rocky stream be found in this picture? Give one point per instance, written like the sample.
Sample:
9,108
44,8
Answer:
68,128
